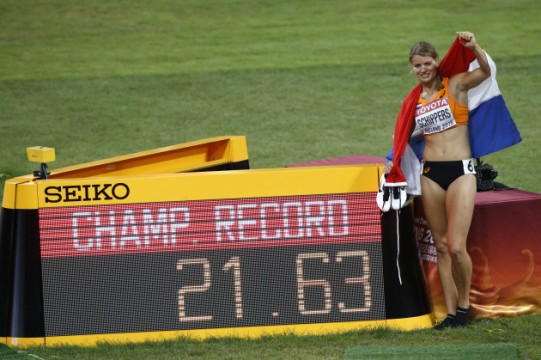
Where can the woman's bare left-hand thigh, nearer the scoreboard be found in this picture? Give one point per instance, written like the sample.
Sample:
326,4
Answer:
434,208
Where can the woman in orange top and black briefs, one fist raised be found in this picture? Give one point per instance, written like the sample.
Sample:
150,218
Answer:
448,179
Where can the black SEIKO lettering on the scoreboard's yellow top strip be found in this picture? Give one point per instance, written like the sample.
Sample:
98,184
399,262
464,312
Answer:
73,193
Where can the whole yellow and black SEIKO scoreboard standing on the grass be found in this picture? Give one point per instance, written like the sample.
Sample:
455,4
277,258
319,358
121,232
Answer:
161,244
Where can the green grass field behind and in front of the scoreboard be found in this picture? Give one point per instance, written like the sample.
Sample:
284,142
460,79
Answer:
301,79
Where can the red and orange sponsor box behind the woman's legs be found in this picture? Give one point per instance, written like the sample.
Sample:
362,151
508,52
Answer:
504,244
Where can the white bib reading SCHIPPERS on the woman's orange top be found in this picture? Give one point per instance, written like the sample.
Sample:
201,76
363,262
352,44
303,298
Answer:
434,117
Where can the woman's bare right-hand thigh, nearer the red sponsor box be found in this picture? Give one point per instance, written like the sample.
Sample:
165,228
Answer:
460,203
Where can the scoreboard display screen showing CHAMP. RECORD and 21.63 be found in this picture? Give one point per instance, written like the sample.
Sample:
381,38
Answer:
316,246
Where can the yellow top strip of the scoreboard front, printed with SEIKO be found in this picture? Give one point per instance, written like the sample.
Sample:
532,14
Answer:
208,185
